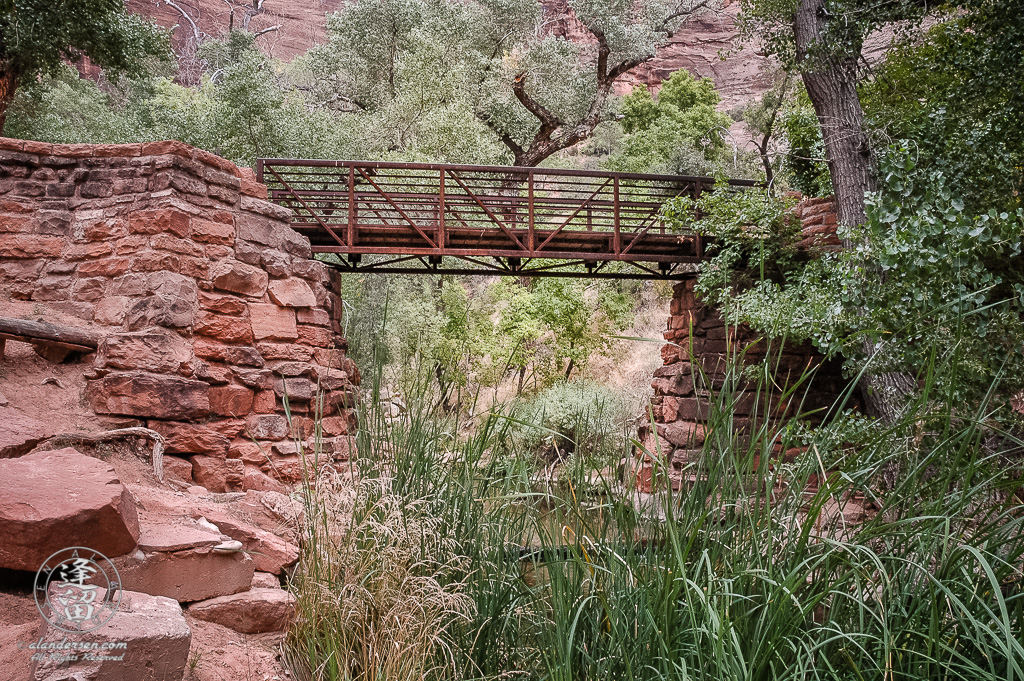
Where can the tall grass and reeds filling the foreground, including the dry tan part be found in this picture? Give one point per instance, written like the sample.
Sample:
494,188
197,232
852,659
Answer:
435,560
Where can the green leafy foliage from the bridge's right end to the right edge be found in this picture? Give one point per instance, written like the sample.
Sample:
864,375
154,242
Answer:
923,277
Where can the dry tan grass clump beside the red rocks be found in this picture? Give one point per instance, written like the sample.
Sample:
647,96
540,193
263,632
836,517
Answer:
374,588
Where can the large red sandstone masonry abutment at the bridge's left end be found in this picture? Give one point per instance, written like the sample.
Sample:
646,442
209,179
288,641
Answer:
210,307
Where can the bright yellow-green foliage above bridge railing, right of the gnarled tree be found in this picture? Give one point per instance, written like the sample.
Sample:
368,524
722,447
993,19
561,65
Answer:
680,133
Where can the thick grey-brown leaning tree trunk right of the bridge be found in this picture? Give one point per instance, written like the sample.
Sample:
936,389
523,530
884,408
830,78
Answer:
832,84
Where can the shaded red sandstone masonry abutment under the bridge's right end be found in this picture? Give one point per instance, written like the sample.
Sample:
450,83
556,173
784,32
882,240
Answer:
699,338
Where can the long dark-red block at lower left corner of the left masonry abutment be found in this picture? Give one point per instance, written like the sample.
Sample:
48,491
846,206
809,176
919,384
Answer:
155,396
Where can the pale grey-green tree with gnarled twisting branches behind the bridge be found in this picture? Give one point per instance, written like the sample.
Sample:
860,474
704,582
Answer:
489,68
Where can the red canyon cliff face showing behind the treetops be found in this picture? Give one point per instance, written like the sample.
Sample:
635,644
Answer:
699,47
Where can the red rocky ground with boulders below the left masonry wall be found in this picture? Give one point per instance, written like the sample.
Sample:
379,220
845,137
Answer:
203,574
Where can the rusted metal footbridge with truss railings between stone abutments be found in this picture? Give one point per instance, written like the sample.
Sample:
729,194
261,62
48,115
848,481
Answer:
416,218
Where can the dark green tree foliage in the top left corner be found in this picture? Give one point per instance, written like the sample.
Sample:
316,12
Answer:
38,36
